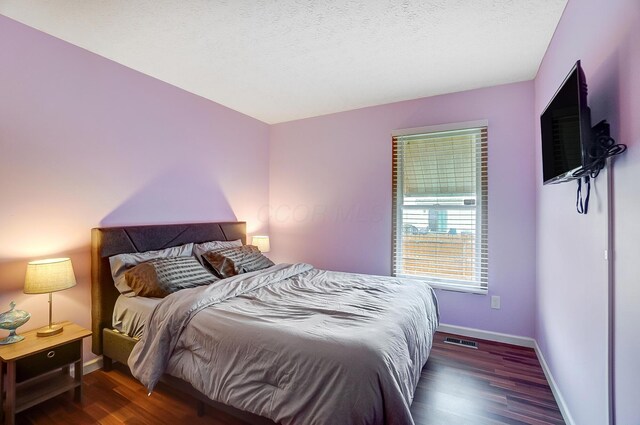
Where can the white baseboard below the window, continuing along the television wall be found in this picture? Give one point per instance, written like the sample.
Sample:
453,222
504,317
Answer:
522,342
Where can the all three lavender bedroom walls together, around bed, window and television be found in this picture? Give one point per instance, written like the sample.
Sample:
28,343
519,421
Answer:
87,142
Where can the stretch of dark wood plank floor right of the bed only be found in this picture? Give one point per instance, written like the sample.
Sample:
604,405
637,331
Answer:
495,384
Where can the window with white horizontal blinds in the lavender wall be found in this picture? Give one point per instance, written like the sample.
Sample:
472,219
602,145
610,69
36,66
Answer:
440,222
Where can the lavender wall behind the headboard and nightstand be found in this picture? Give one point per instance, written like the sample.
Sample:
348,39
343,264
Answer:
86,142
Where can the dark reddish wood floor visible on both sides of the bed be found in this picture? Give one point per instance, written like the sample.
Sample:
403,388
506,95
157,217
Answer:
495,384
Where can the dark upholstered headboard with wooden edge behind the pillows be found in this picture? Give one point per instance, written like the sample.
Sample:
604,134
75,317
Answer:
109,241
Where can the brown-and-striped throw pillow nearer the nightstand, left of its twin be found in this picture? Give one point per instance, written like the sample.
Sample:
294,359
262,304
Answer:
163,276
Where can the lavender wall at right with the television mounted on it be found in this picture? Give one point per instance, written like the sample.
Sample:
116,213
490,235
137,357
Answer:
572,273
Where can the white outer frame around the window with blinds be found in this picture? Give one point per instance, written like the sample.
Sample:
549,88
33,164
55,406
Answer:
481,209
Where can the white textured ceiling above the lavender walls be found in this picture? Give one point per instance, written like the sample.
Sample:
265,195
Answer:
280,60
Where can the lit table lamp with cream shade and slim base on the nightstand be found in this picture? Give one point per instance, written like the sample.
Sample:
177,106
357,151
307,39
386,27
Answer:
47,276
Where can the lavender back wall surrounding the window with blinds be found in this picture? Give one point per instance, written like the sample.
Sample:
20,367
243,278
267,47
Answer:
331,195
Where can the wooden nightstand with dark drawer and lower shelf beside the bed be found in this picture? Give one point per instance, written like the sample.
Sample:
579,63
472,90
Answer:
37,369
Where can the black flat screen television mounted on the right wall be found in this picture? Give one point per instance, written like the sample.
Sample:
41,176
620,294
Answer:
566,130
